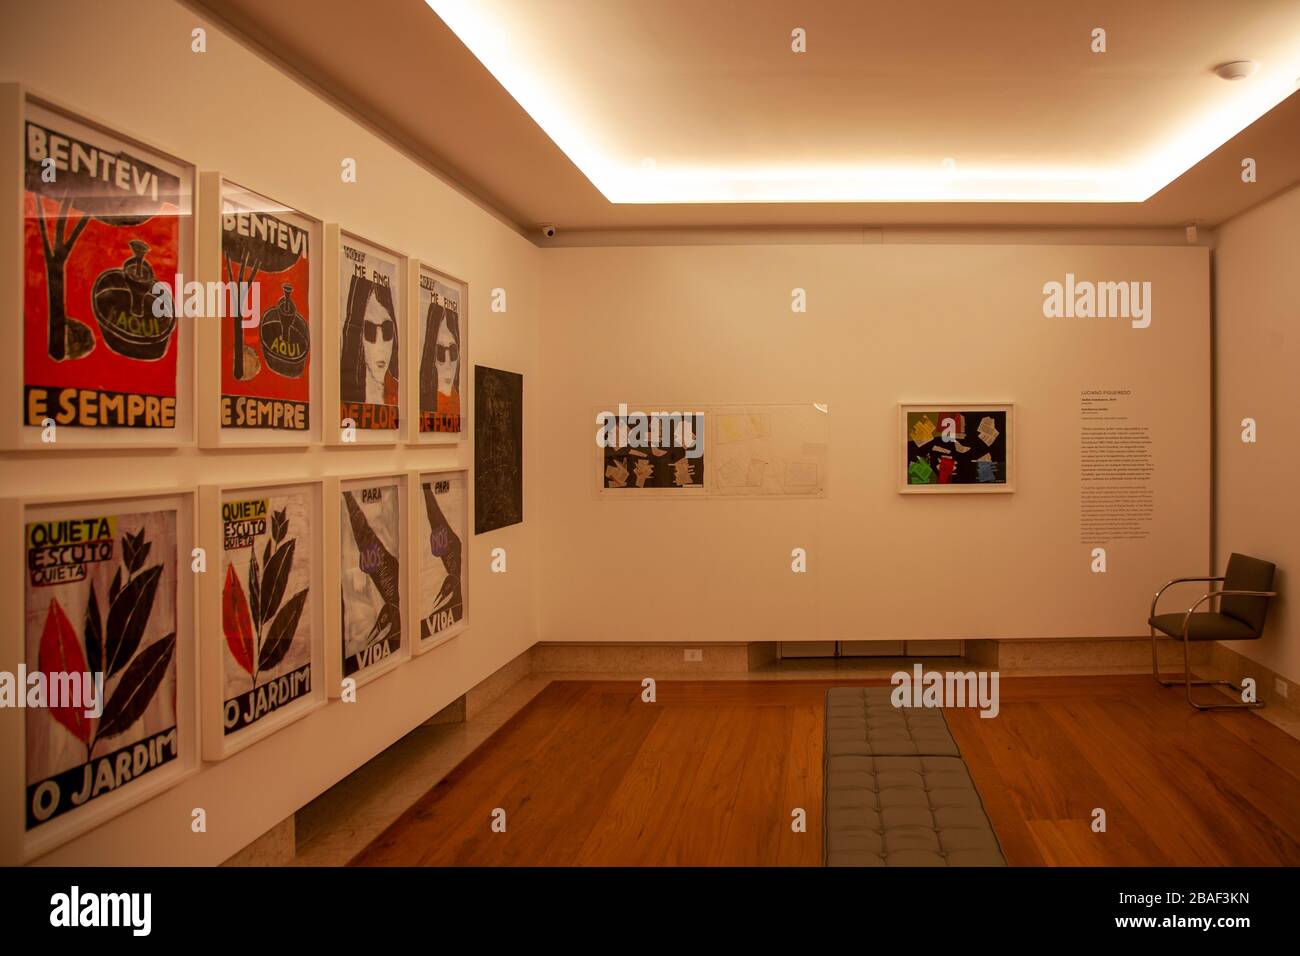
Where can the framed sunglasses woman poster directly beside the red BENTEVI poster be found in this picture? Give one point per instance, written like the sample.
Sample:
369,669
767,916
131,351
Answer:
366,330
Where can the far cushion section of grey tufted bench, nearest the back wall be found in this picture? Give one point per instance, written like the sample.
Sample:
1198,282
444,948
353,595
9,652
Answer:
863,721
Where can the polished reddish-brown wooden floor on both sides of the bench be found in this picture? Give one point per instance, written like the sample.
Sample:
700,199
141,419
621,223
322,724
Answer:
709,775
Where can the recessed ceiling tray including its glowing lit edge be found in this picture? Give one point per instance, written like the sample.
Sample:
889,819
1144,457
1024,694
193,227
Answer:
679,101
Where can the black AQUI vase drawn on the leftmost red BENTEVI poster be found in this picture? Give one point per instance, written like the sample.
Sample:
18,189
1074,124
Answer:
135,319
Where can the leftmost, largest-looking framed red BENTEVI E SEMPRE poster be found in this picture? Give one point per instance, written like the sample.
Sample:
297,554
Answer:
106,228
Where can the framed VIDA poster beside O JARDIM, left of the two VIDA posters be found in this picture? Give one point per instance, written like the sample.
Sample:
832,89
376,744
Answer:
372,578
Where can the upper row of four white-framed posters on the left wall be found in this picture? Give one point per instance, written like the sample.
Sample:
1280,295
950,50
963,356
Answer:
141,331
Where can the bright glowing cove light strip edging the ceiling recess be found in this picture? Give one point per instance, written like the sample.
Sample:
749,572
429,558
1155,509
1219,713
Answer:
528,72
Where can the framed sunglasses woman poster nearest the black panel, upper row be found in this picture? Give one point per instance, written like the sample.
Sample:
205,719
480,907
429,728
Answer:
440,325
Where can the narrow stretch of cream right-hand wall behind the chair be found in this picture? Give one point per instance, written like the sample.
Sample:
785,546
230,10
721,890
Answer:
1258,357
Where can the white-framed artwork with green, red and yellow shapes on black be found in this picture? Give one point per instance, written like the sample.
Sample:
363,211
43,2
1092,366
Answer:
956,448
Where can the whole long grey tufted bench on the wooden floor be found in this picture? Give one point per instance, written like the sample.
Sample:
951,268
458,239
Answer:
898,793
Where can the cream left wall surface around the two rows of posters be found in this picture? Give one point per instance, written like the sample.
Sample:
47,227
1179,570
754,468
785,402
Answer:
131,66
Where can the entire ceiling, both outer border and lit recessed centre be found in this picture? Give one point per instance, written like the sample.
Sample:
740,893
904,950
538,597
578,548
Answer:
621,103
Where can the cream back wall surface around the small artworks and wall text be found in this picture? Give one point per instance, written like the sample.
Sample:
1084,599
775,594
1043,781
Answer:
662,328
